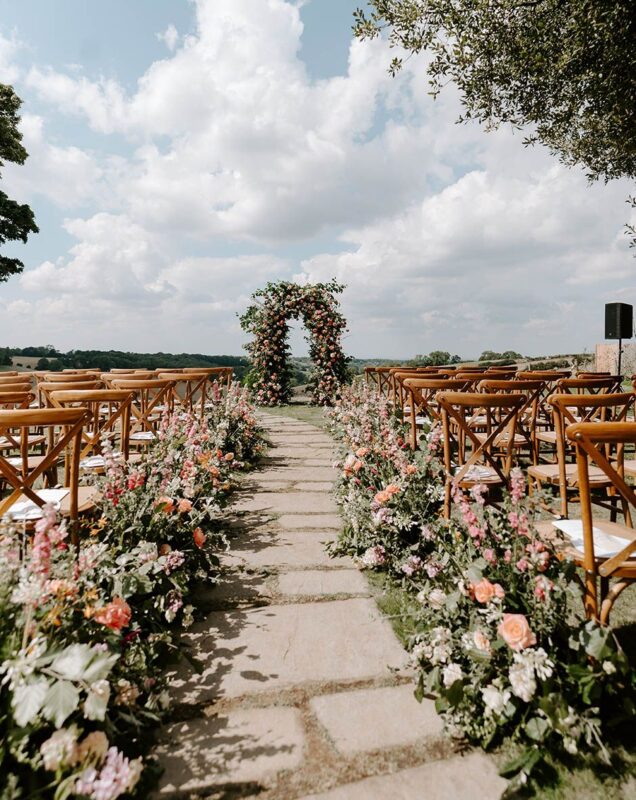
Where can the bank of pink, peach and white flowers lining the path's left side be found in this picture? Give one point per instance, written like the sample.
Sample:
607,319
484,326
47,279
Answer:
85,637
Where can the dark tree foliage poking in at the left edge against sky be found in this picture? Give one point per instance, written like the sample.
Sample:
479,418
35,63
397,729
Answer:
16,220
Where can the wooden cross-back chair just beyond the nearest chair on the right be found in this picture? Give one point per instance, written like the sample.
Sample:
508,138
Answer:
570,410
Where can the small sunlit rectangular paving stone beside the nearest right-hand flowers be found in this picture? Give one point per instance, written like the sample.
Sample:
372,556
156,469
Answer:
372,719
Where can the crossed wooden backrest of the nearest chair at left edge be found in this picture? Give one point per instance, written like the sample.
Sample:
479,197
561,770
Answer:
22,480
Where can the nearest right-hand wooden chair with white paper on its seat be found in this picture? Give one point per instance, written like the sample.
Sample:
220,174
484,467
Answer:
592,442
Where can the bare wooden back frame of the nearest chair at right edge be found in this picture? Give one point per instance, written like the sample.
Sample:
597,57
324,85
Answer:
592,441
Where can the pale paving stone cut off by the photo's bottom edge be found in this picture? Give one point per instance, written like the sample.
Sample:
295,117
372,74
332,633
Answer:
471,777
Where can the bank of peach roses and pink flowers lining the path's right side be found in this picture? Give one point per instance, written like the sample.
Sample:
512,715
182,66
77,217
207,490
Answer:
499,641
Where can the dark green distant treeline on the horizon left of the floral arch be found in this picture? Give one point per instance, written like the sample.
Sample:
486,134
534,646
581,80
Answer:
52,359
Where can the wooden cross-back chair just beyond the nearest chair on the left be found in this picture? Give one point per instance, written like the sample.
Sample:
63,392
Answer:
108,415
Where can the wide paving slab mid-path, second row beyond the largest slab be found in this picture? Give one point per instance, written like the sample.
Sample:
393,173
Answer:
283,550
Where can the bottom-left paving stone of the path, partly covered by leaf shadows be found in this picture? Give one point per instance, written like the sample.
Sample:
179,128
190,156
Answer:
238,747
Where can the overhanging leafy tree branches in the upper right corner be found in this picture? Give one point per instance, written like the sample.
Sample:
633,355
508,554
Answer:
563,69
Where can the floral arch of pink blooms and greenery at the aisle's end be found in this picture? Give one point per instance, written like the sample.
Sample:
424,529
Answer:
268,321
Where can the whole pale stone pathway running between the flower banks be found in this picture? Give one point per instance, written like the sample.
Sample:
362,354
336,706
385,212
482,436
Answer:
305,691
